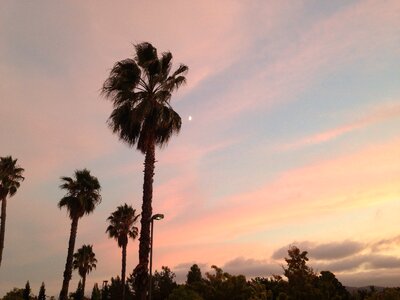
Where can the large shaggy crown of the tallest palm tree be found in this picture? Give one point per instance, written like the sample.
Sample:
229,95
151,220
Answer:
140,90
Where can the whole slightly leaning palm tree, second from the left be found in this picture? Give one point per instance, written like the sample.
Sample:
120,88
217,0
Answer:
83,194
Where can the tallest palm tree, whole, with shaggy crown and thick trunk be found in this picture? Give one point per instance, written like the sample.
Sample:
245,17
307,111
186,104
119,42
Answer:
141,90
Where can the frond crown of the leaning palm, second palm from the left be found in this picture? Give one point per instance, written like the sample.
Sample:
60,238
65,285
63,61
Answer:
83,193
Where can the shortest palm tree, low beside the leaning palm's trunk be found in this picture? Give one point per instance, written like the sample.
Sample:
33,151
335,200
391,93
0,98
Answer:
84,261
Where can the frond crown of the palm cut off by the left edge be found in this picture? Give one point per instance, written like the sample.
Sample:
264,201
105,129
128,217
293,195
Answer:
10,176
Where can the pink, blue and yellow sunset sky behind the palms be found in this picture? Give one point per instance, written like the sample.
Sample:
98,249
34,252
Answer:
294,137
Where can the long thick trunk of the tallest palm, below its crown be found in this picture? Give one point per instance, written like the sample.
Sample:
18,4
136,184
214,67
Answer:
144,244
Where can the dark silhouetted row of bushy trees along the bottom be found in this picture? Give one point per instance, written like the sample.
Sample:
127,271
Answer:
298,282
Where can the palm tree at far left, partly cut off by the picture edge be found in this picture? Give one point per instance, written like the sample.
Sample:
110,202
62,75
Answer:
10,178
